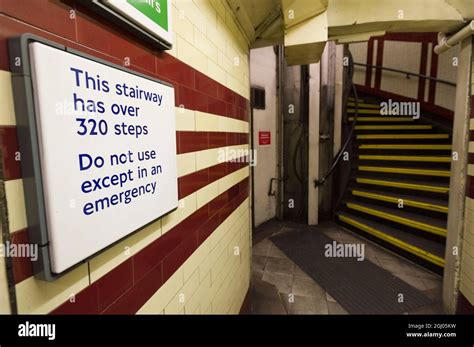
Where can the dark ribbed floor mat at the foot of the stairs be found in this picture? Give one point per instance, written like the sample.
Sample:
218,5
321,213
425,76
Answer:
360,287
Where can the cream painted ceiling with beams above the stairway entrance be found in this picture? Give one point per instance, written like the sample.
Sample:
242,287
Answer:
304,26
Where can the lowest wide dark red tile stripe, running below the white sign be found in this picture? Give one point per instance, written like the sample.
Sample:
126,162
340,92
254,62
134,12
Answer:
125,289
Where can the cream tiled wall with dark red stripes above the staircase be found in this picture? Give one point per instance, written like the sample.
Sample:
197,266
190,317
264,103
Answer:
412,52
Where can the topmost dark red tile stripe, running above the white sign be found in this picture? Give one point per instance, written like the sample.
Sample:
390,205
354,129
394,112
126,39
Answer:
87,33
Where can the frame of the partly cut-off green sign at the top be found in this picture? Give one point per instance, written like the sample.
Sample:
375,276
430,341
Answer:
114,16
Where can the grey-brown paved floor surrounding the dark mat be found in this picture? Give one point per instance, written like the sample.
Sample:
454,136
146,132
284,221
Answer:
279,286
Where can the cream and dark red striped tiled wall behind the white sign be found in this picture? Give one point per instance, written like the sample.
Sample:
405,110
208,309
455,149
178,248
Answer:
196,259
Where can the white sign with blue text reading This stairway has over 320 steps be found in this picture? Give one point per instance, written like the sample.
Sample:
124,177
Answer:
107,144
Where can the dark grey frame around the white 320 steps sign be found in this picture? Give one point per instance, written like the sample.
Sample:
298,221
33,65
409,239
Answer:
27,131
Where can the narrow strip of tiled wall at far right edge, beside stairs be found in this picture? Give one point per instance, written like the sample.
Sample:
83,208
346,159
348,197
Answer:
466,300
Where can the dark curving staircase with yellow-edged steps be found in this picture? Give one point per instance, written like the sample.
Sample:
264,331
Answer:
399,187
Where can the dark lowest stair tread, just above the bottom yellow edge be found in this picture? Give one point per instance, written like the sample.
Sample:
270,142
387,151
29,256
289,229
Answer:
427,245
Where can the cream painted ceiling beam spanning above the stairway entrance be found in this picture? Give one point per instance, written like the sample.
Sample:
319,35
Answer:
357,20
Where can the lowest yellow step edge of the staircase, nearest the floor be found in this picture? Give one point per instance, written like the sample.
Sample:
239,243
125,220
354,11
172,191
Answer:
394,241
